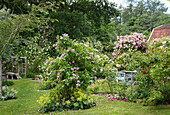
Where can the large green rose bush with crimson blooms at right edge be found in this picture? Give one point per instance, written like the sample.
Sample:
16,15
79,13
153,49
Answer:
152,75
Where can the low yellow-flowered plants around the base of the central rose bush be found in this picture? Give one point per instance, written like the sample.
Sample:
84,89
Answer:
54,102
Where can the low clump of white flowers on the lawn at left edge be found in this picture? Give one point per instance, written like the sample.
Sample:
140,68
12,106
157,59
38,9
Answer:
7,94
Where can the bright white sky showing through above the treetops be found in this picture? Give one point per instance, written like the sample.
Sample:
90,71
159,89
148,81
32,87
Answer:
167,4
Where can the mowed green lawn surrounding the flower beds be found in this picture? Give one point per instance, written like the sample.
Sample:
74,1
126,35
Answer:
28,93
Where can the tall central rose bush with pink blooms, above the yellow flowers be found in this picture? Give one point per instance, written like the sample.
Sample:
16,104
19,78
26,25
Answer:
75,66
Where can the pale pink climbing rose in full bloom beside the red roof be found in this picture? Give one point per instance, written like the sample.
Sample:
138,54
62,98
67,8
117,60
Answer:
126,44
